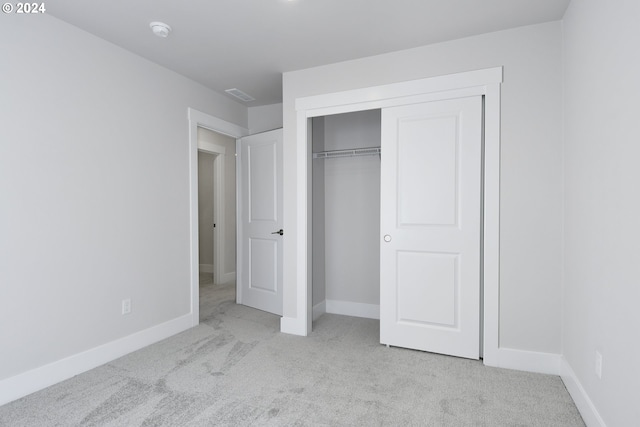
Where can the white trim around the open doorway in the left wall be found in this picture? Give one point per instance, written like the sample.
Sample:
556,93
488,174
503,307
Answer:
200,119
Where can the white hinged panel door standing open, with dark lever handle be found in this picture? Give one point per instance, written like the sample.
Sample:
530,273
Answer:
260,221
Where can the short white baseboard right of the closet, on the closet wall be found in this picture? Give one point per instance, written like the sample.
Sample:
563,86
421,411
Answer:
522,360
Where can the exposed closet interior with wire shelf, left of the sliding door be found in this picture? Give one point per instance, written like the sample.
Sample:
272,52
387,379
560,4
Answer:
346,214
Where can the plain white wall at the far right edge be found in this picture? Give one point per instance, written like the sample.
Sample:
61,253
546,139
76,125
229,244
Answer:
602,205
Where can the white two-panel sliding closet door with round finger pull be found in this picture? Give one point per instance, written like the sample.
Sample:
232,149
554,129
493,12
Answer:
430,226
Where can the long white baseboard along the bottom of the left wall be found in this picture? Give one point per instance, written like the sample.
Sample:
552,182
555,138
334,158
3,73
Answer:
36,379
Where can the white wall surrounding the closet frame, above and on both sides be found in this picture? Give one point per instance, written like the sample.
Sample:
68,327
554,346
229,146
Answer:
531,205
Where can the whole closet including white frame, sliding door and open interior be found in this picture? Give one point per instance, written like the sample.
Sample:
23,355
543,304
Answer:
438,212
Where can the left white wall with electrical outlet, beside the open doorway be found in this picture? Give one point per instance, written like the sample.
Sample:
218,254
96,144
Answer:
94,178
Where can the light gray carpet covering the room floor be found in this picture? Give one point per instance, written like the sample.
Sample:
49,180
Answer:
236,369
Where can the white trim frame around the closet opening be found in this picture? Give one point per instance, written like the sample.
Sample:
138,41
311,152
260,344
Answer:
486,83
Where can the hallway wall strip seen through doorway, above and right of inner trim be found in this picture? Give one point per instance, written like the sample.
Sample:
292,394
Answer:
206,135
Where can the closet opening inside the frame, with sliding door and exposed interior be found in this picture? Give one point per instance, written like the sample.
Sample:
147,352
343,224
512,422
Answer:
398,237
